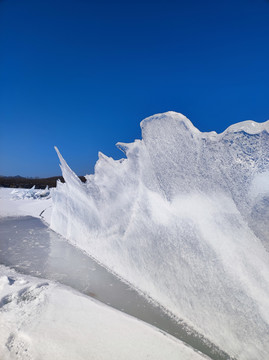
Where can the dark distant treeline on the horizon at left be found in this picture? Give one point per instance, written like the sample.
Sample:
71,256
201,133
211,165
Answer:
27,183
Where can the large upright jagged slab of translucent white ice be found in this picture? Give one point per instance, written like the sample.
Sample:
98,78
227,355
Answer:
184,217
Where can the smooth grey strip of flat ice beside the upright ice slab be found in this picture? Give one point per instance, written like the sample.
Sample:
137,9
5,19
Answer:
30,247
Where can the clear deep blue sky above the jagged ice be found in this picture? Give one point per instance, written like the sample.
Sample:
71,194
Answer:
82,74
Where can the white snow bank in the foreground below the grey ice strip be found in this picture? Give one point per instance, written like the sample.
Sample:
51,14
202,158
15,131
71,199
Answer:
42,320
